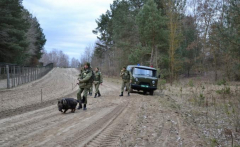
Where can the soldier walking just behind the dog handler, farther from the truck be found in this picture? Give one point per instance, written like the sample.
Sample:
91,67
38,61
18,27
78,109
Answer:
97,81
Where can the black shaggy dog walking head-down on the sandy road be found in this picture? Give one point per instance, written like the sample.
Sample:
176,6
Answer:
67,103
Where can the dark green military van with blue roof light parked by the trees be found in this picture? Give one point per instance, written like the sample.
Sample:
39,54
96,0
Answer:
144,78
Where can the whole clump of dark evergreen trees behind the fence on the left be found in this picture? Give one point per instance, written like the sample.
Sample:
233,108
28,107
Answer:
21,37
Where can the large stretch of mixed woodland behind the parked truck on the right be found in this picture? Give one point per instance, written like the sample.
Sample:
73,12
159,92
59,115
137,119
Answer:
177,37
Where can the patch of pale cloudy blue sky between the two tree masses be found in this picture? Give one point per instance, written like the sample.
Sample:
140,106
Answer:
68,24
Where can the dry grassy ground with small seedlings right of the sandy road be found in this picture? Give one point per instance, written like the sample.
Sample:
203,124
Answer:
211,107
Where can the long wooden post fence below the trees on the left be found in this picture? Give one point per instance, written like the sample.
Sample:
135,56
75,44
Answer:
12,75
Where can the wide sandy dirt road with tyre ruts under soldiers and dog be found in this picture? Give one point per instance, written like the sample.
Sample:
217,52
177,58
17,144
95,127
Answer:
110,120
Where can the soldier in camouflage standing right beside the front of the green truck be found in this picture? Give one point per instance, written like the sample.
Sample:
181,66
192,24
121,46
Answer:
126,80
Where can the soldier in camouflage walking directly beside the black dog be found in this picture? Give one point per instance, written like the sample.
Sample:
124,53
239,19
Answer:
84,85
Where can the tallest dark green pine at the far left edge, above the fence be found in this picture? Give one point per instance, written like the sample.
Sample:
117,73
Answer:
13,28
